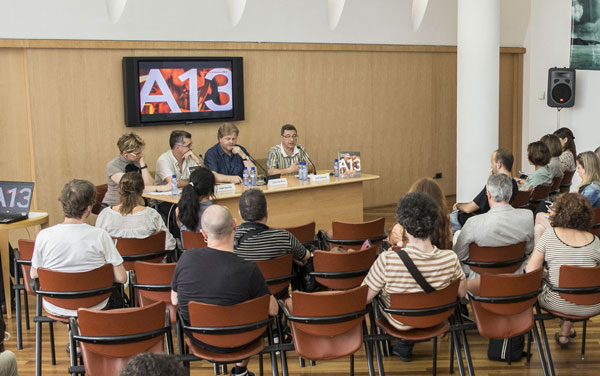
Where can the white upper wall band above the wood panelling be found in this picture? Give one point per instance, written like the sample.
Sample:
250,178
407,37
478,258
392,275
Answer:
363,21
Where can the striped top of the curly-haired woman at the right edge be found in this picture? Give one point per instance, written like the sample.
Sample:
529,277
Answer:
556,253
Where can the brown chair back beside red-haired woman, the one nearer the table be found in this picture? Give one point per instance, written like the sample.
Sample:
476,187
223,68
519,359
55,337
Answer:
353,235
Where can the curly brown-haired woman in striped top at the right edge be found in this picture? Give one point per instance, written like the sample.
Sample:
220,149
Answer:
566,243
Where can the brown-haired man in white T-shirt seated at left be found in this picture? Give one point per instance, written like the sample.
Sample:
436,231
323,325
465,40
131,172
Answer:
74,246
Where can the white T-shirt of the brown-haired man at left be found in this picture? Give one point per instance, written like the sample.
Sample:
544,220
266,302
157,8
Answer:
73,248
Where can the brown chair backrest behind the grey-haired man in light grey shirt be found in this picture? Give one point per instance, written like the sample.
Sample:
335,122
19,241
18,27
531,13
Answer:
496,260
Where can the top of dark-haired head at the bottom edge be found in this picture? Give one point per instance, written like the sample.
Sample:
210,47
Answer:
153,364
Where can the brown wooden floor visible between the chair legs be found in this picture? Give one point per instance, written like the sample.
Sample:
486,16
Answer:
566,362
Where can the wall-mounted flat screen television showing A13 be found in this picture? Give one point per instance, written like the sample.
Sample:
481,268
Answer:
167,90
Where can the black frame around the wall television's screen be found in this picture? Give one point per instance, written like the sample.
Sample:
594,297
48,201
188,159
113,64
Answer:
131,92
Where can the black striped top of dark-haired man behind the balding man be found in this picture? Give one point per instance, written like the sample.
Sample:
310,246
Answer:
268,244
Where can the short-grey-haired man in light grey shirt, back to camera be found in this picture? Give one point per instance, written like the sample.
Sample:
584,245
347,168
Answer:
501,225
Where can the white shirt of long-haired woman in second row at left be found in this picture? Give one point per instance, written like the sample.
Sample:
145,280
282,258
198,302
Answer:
138,225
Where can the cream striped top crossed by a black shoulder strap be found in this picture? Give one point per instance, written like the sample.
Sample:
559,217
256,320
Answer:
388,275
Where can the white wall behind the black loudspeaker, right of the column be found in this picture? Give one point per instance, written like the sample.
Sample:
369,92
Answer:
548,45
